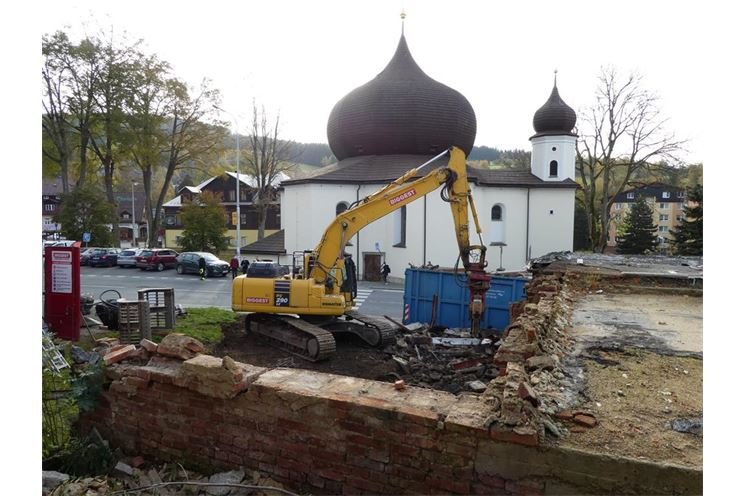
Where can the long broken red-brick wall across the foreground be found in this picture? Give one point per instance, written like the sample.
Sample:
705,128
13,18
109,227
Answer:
326,434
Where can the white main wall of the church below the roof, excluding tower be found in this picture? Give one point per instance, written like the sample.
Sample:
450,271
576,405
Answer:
309,208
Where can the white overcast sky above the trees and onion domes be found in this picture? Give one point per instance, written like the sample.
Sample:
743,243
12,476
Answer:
301,57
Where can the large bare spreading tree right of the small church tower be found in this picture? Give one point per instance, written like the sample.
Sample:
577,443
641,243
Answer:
622,133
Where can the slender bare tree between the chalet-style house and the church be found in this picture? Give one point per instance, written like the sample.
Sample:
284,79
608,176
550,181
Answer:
268,157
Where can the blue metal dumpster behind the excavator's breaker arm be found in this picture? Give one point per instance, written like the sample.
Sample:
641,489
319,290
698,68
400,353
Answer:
449,292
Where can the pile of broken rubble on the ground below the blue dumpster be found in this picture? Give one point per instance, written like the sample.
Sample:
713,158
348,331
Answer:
443,359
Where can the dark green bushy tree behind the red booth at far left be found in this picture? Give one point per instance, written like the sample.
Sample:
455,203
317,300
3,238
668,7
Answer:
85,209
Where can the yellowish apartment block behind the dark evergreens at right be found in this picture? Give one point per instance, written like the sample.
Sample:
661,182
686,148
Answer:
667,203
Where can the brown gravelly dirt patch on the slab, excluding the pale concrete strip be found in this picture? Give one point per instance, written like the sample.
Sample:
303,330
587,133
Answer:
635,395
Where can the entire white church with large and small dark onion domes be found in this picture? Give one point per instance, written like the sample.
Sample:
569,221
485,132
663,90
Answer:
400,120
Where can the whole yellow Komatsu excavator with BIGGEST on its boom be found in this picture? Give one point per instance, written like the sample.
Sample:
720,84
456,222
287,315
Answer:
302,310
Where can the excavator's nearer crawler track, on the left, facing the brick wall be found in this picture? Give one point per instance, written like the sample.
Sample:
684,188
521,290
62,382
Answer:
293,335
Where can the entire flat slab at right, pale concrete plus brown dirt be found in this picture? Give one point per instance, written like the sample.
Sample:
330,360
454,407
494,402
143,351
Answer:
642,362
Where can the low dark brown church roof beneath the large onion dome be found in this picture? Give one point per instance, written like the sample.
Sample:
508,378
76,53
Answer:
382,169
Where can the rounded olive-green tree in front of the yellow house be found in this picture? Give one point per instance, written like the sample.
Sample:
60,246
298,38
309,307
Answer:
204,224
